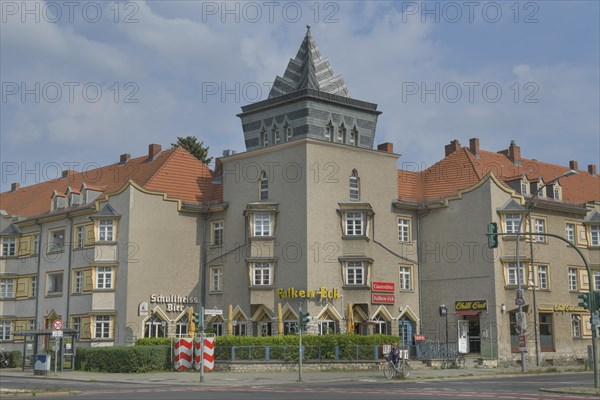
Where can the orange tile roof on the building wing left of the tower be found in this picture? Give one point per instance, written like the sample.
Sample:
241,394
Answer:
174,171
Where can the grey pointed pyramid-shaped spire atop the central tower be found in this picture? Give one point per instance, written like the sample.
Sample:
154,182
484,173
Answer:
309,71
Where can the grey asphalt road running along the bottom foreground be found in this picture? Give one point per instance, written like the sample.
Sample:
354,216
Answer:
513,387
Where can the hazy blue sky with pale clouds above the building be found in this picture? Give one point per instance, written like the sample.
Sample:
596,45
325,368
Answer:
86,81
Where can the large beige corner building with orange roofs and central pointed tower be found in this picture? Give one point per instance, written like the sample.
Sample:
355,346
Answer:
309,217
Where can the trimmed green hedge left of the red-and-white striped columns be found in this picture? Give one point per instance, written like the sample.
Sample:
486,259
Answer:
127,359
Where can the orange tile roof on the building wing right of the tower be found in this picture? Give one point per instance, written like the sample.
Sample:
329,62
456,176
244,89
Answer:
462,169
